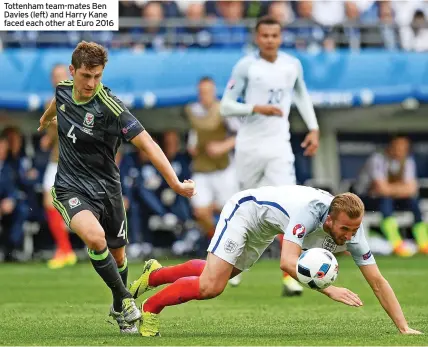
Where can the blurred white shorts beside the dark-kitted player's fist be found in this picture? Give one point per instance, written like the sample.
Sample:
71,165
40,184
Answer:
214,187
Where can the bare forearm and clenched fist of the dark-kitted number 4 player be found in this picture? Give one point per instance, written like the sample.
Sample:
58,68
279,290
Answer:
145,142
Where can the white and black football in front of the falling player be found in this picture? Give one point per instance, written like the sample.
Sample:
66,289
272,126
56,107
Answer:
317,268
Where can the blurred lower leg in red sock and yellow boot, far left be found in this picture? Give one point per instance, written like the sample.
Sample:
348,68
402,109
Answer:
64,254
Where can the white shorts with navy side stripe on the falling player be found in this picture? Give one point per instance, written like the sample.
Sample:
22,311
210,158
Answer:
234,240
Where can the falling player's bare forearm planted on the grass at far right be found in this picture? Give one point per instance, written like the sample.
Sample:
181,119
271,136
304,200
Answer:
386,297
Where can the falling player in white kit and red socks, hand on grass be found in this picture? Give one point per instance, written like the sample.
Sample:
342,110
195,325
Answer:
248,224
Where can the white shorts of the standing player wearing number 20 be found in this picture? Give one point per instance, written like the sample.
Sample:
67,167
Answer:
260,171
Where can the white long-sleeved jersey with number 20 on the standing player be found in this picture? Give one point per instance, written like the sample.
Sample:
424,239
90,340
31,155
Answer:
260,82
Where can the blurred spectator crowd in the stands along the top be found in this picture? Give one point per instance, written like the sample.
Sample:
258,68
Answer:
308,25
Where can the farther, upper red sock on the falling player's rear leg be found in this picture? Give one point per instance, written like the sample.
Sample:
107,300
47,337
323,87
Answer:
170,274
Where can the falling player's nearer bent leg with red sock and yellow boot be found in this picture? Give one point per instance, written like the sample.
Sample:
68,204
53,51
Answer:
210,284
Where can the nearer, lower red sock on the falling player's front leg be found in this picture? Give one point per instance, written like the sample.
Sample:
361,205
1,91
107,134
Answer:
181,291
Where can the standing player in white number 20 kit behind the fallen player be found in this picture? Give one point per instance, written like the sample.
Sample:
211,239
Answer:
266,82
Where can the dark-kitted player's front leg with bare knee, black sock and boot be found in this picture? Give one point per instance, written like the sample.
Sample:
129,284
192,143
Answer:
87,227
